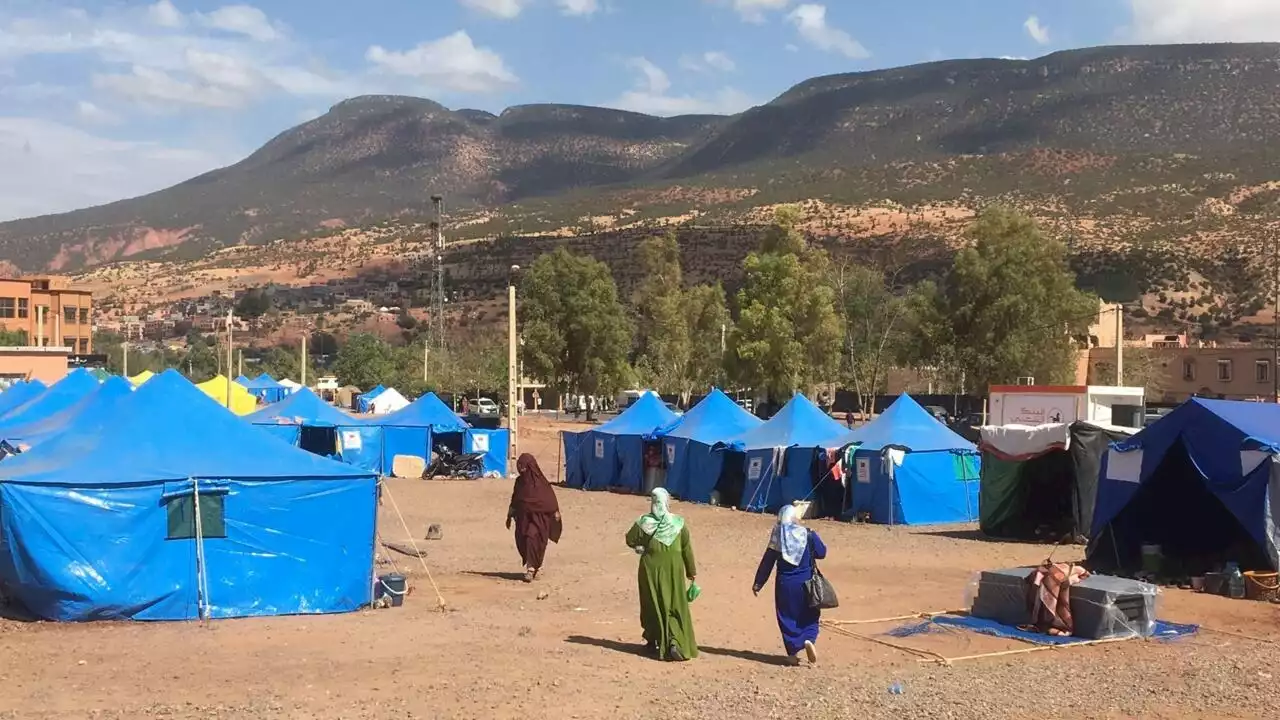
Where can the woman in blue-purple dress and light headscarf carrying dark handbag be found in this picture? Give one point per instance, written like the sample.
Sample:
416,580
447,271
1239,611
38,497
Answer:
793,549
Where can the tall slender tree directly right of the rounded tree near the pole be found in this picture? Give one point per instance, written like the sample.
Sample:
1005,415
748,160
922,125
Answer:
662,327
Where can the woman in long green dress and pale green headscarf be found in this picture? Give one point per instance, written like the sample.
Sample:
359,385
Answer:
661,539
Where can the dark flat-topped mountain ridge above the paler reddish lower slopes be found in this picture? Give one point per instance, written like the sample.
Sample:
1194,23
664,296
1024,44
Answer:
1109,117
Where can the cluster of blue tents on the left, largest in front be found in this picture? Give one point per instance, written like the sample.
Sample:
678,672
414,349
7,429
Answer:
156,503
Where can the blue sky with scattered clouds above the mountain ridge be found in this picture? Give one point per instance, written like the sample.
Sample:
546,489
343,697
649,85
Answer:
108,99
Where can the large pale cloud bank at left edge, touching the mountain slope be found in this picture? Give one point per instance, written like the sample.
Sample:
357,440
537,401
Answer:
52,167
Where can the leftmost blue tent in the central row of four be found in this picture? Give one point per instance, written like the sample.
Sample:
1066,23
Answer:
612,454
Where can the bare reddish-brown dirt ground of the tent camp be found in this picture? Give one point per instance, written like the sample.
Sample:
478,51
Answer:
569,646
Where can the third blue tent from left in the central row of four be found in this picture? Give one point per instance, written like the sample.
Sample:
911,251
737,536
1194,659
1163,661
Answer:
780,453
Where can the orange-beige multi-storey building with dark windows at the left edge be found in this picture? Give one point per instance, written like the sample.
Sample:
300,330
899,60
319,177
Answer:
51,312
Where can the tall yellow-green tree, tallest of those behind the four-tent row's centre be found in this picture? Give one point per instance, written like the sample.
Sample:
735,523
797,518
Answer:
788,334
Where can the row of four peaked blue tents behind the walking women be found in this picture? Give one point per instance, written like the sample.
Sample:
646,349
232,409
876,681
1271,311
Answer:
903,468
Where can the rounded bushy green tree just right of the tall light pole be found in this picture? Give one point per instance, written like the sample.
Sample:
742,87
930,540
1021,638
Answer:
577,334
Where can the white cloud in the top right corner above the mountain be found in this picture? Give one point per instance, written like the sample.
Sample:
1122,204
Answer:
1204,21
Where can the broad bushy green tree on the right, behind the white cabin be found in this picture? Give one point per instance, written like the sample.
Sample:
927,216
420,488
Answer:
1009,307
